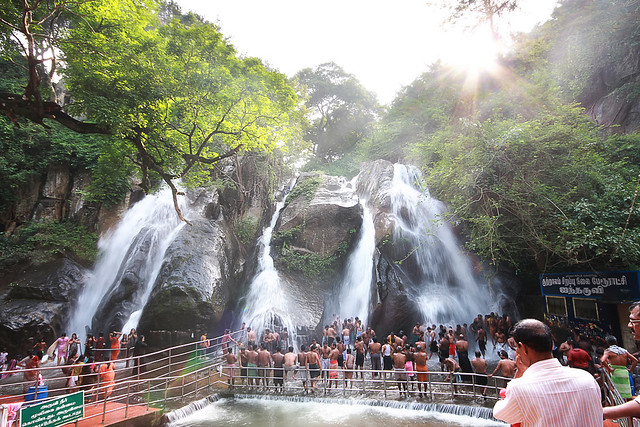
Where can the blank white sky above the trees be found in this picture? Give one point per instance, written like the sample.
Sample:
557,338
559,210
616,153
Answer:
386,45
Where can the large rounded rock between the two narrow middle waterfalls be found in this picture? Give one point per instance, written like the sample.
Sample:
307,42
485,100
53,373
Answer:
314,232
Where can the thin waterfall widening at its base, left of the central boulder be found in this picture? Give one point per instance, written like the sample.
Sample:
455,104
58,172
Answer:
267,304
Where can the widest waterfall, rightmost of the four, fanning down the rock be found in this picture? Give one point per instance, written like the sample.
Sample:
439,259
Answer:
444,285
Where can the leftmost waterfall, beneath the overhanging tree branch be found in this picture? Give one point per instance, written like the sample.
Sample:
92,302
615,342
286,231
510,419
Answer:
133,252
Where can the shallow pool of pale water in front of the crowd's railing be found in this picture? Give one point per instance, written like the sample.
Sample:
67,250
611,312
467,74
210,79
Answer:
284,412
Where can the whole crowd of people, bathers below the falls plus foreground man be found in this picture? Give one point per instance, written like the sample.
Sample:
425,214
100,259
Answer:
533,364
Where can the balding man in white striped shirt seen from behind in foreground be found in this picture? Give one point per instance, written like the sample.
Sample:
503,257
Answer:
545,393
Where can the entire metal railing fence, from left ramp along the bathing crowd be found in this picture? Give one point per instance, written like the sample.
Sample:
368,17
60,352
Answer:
190,371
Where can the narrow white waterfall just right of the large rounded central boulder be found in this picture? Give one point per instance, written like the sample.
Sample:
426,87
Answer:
355,294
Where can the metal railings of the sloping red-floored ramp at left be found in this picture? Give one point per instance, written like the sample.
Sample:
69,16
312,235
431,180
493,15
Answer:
149,380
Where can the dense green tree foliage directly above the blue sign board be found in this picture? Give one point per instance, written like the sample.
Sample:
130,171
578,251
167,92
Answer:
540,189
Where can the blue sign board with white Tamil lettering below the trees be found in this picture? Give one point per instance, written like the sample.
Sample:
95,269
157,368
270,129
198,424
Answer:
618,286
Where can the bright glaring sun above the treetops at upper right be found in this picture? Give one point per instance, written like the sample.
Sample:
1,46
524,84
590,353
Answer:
472,52
